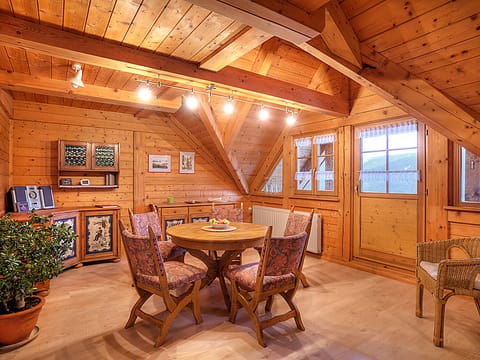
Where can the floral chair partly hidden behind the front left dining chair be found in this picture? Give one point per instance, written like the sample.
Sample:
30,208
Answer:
140,223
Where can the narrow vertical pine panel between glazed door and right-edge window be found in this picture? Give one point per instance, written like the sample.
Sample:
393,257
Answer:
436,182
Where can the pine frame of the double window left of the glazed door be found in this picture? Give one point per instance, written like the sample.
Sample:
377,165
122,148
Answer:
314,156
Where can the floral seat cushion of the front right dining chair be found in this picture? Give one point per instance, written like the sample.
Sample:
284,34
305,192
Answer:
246,277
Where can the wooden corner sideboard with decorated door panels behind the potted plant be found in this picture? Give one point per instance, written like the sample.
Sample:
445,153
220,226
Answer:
97,229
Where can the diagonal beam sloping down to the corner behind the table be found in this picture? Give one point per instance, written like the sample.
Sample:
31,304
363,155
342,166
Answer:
209,121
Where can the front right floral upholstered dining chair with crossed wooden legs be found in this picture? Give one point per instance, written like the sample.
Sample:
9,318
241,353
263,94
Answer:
277,273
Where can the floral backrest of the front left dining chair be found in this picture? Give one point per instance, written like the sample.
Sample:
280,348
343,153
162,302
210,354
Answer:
144,259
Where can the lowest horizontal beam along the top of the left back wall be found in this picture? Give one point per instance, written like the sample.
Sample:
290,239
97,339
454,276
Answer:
52,87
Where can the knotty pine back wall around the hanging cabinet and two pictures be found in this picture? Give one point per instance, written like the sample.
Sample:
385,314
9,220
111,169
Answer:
37,127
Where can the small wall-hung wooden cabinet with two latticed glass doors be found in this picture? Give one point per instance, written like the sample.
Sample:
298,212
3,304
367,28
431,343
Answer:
97,164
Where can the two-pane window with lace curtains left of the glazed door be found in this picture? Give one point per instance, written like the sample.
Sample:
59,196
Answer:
315,164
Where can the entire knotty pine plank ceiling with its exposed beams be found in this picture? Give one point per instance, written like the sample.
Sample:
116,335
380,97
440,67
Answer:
422,56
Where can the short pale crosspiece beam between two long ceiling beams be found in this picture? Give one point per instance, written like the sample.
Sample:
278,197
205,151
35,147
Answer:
247,40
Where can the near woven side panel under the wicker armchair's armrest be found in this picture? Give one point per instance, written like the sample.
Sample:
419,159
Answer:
458,274
